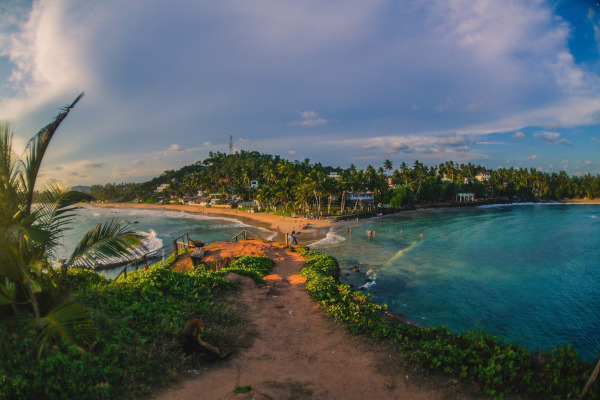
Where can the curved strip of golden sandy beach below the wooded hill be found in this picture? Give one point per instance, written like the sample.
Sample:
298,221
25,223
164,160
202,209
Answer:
311,230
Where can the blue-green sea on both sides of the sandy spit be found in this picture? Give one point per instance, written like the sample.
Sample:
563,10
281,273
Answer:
529,273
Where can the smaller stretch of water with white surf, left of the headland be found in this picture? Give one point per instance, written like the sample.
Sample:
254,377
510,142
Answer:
160,228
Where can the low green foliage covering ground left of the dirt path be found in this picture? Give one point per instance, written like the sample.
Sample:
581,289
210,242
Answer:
138,320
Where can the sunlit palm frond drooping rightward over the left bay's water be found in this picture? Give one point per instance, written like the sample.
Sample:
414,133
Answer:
106,242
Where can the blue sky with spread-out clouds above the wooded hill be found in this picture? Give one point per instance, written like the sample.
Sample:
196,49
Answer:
499,83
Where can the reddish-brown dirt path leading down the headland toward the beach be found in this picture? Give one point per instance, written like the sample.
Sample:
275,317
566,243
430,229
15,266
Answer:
299,353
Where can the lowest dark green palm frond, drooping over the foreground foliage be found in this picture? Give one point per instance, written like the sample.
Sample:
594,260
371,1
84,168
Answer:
70,320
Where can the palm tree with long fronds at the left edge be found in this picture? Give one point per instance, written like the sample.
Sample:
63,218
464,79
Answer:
29,234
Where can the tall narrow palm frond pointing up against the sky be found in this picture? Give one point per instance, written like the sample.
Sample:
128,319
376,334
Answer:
37,146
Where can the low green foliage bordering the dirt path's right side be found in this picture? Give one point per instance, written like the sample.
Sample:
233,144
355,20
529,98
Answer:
500,368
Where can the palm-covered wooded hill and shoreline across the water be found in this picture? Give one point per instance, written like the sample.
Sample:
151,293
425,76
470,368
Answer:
301,187
